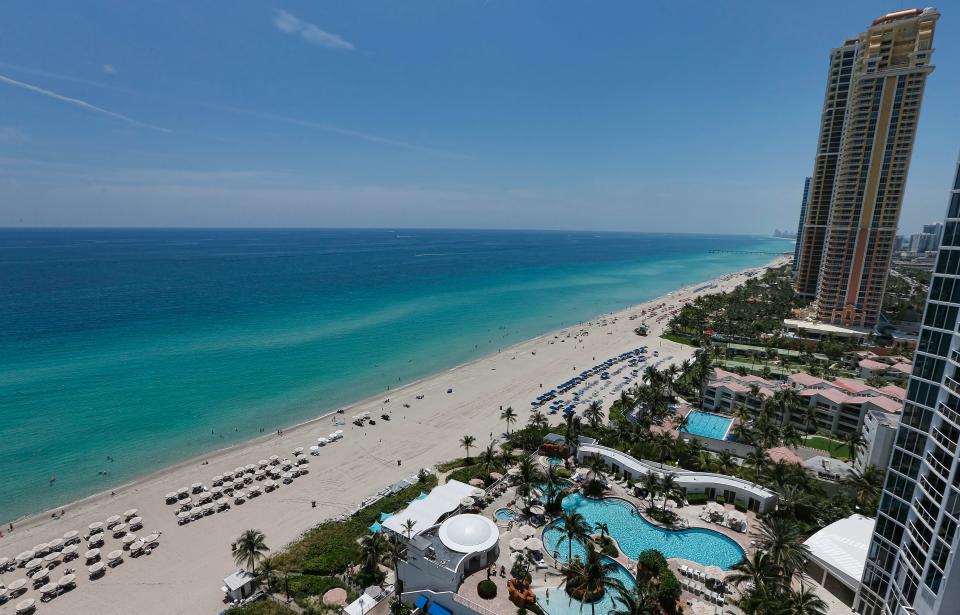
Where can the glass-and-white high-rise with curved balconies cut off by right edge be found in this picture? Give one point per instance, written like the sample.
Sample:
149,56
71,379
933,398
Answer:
912,564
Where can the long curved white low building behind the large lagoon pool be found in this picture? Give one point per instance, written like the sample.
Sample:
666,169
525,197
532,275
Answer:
755,497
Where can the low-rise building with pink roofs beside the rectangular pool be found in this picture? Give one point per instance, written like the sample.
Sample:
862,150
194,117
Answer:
841,406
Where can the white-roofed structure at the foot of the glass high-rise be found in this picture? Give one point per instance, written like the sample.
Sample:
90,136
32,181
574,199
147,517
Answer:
837,556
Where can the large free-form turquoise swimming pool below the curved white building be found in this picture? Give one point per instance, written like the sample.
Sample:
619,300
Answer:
634,534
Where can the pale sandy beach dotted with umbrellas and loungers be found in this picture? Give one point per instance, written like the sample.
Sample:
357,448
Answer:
185,573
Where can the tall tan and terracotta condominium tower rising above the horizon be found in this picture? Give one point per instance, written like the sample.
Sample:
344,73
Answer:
874,90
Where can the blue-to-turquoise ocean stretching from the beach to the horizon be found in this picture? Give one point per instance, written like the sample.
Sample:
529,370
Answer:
124,351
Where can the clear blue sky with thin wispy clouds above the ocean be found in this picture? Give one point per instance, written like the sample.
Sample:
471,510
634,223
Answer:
698,117
